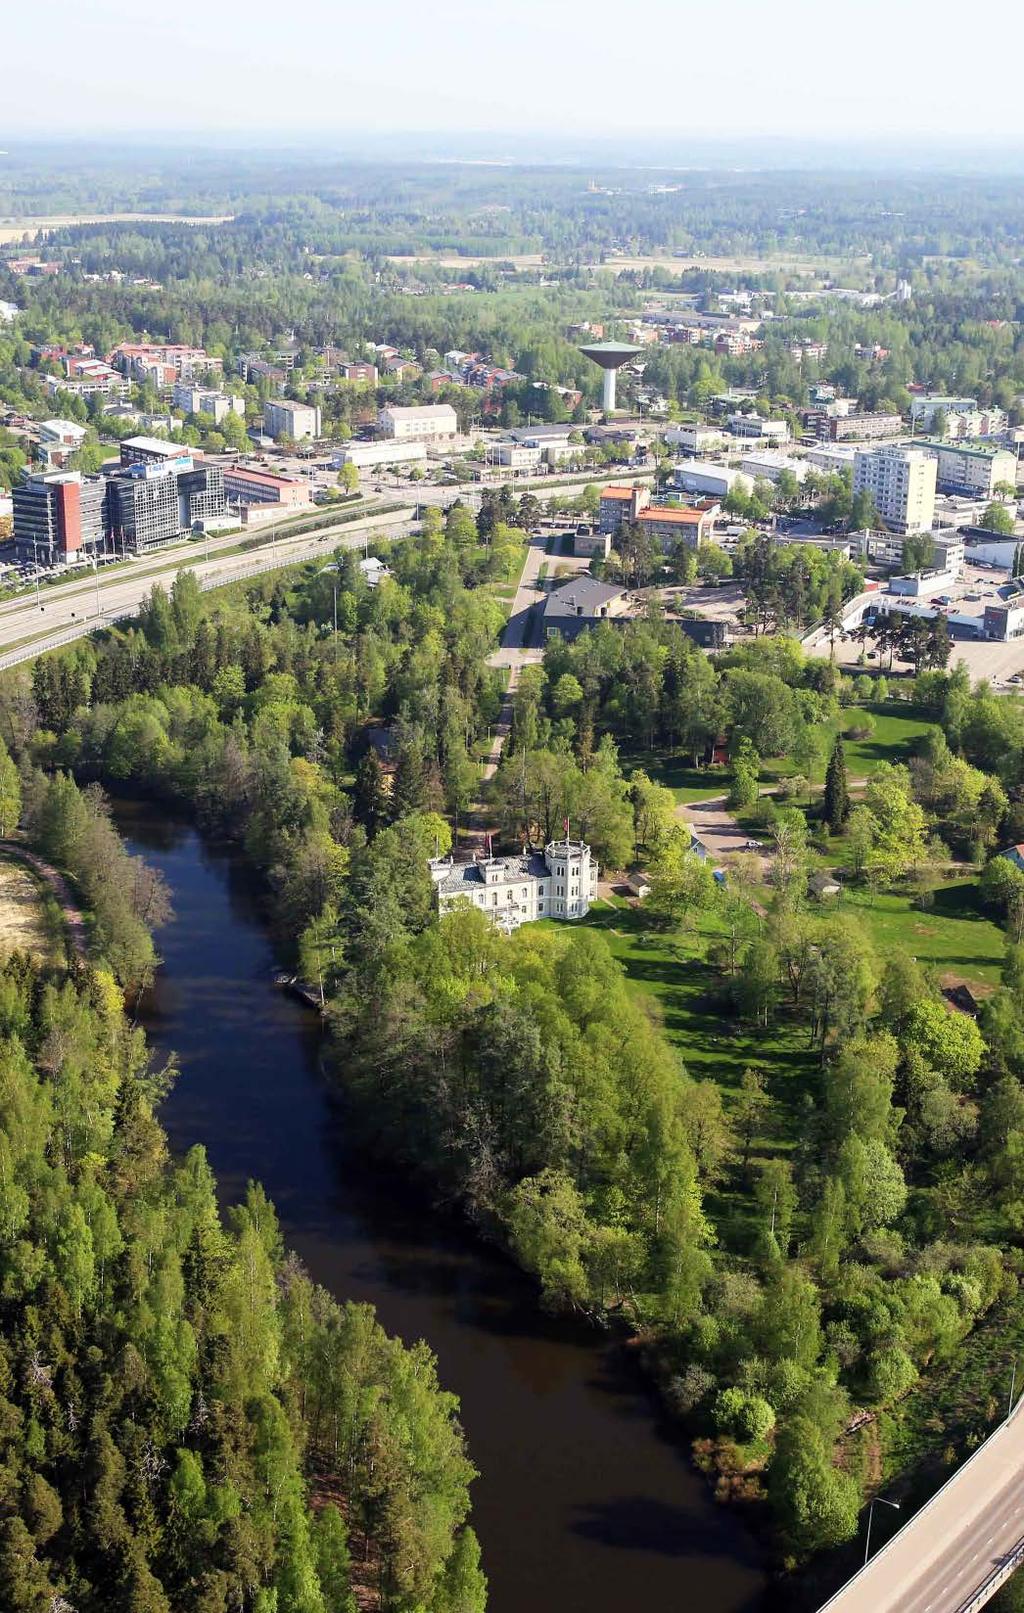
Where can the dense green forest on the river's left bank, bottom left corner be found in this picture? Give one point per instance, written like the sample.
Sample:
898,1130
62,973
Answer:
188,1422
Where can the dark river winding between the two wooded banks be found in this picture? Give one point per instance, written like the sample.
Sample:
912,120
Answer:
585,1501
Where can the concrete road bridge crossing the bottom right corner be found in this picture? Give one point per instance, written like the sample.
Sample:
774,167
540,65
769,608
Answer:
960,1548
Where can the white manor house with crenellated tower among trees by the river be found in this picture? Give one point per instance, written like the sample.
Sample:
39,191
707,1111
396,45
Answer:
559,883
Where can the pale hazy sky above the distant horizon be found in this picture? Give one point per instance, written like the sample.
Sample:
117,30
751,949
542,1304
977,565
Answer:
664,72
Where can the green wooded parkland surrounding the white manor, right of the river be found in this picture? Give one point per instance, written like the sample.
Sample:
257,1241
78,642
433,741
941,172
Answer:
801,1232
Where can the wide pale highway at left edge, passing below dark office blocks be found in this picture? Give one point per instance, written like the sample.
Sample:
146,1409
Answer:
67,611
